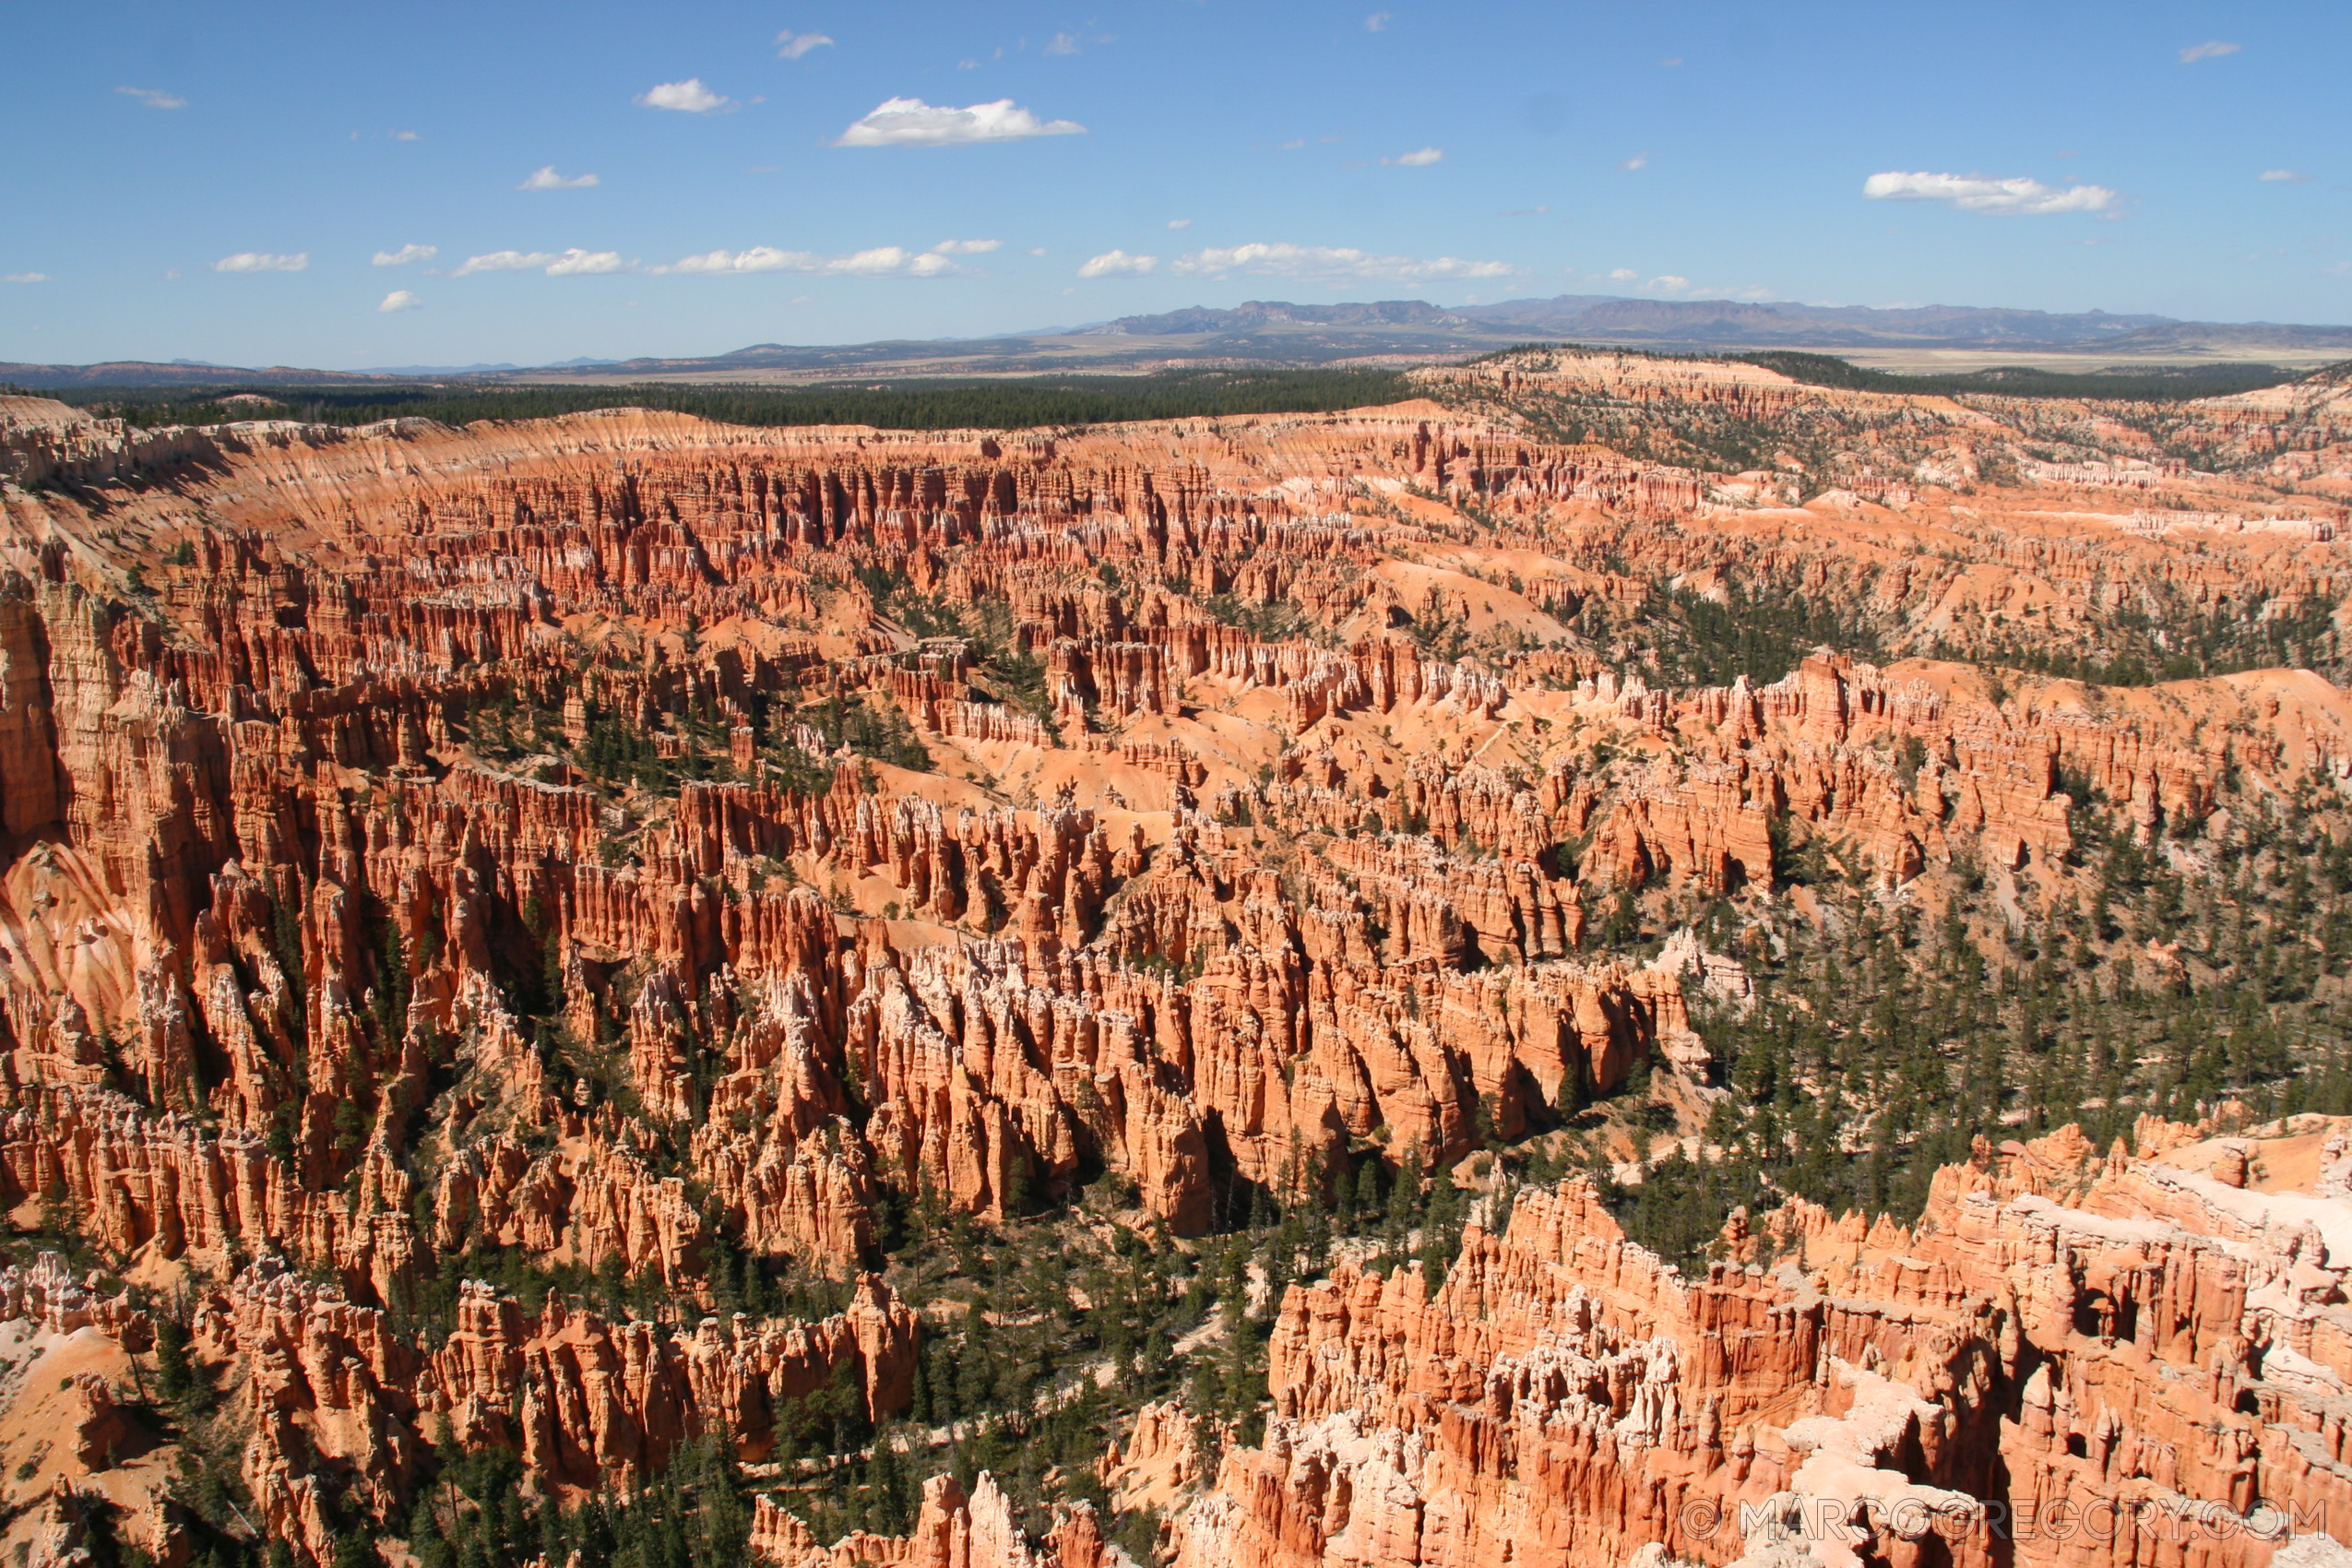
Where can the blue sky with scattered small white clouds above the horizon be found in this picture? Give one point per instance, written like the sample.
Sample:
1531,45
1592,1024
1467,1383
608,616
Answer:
241,182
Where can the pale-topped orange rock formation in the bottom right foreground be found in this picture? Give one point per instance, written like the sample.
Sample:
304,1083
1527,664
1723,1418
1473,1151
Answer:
2059,1336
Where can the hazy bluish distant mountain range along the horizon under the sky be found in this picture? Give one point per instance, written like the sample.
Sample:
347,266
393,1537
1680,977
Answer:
1278,333
